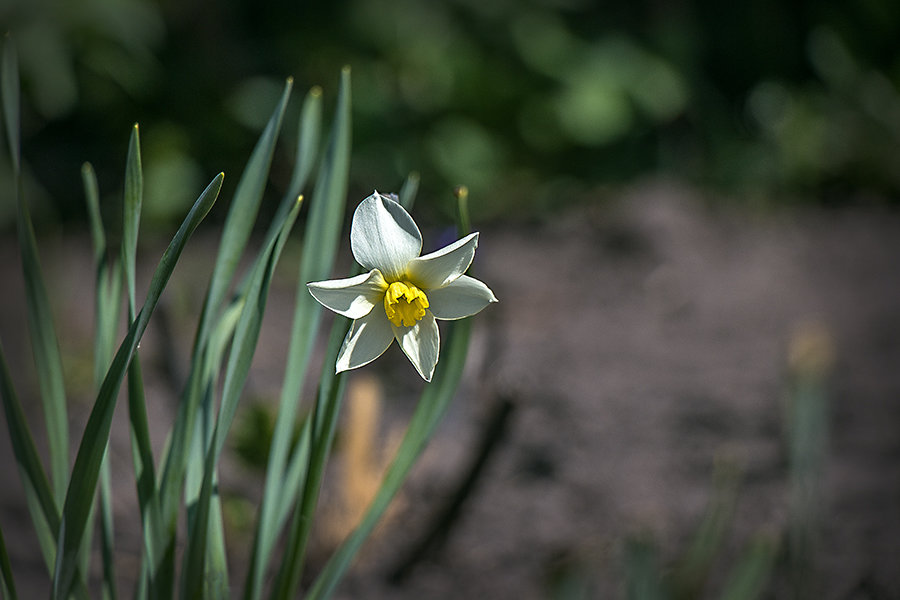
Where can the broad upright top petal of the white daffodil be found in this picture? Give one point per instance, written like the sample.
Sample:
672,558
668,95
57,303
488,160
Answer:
383,236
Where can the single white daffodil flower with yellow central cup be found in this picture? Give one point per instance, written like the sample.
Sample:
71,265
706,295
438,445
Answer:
402,293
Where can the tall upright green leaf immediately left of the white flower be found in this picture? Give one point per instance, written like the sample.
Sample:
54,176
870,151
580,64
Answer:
317,262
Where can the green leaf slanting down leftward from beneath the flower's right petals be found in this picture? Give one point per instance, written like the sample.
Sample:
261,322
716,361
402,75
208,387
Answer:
429,411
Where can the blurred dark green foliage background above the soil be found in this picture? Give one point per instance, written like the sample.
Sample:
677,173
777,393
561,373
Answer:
534,104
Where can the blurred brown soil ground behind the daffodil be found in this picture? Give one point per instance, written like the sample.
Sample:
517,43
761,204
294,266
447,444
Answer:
635,345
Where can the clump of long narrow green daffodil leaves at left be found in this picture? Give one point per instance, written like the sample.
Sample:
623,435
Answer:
183,482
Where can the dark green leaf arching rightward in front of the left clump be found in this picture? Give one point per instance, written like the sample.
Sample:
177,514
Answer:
96,434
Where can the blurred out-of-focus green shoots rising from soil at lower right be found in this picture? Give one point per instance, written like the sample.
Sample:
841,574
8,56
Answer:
780,562
